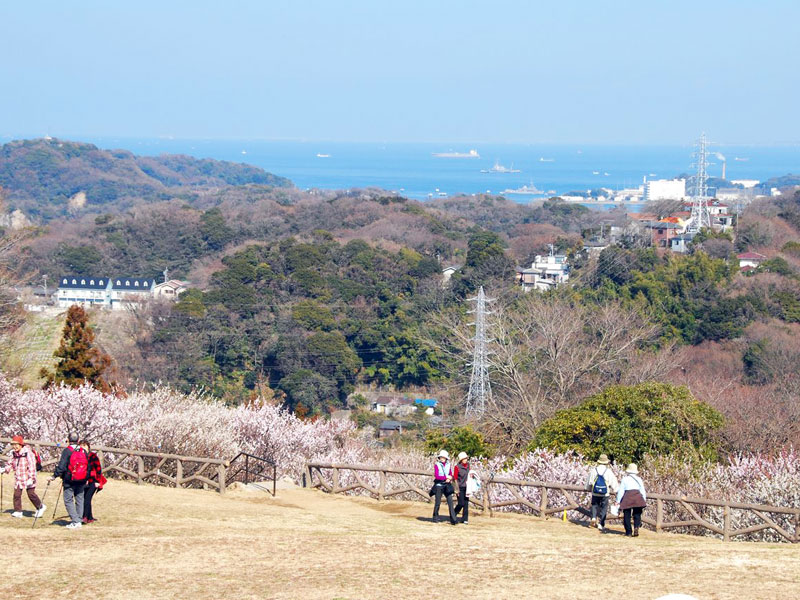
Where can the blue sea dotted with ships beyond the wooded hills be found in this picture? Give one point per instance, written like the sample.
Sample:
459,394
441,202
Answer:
414,171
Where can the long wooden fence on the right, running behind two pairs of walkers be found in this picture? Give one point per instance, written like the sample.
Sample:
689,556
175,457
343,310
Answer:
699,516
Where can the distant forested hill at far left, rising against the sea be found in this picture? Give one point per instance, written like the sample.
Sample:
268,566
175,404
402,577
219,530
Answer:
49,178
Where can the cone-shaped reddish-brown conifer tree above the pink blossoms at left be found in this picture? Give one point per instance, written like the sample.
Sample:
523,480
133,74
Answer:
79,361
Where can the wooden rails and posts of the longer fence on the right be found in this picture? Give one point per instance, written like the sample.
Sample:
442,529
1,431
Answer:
726,529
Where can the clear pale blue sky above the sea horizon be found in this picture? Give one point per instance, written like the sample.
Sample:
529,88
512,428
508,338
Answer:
570,71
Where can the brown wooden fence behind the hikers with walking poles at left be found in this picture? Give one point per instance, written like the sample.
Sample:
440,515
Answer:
153,467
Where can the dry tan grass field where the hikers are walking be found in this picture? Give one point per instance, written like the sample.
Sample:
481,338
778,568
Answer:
155,542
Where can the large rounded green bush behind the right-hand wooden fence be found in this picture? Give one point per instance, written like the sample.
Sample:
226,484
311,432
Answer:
628,422
